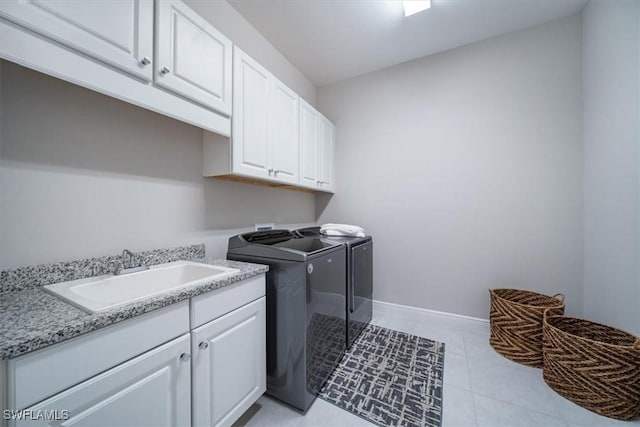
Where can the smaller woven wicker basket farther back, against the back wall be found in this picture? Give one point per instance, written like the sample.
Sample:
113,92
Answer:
516,323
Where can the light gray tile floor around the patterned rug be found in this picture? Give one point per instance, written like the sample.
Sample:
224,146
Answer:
481,388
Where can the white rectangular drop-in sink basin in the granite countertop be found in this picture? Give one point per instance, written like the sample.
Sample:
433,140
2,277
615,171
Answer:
101,293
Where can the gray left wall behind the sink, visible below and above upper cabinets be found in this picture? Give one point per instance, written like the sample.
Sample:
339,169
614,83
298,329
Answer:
82,174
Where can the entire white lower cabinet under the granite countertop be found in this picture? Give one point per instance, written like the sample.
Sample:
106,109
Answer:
198,362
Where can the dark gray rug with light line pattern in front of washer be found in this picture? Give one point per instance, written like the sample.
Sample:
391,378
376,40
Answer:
390,378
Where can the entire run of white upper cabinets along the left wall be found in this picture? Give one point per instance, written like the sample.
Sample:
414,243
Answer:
164,57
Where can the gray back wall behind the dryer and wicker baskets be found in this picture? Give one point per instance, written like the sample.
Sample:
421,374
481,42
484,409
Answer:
466,166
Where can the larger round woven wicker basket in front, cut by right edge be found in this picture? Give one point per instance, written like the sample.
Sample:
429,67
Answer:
593,365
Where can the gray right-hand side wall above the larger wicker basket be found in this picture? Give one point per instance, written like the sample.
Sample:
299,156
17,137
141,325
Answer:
611,139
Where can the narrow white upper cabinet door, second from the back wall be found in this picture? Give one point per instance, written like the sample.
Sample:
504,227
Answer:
308,145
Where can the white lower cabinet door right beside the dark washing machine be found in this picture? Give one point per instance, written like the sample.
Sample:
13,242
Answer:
229,365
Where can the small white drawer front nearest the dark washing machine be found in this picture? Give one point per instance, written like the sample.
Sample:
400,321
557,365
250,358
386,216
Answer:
211,305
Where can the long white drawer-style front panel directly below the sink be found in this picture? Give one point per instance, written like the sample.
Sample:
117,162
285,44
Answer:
38,375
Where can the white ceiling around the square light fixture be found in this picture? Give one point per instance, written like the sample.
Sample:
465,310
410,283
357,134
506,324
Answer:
333,40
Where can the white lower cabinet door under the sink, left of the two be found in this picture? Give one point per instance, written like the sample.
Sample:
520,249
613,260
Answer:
152,389
